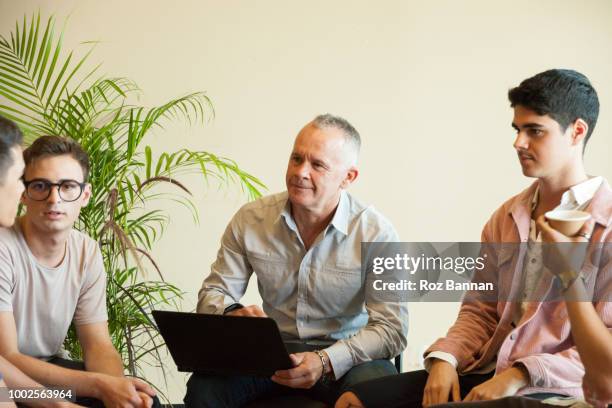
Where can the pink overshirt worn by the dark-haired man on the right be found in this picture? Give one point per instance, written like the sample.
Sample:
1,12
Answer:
542,341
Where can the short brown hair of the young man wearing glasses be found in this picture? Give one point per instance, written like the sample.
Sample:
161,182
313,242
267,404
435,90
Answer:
46,146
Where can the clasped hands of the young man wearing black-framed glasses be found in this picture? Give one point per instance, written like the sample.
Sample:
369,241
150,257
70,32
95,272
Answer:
124,392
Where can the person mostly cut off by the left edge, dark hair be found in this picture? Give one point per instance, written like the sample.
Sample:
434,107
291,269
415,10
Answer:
11,187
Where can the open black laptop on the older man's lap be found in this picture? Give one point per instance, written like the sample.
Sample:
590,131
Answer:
216,344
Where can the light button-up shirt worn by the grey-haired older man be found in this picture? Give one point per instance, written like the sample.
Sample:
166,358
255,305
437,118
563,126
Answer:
319,295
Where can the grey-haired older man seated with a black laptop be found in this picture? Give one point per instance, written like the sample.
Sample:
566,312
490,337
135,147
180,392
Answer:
304,245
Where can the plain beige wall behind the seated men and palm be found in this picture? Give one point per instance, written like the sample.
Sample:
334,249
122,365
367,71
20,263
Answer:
423,81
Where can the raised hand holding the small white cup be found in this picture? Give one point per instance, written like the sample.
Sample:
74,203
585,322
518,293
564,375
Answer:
563,253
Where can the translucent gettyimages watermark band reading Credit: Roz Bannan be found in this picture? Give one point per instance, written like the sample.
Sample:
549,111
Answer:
455,271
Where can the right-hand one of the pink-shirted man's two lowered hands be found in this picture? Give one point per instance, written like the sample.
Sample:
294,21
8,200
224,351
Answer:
502,385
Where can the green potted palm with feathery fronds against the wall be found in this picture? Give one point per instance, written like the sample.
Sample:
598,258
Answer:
46,93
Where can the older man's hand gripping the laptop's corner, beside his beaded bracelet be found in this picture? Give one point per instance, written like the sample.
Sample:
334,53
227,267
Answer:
307,371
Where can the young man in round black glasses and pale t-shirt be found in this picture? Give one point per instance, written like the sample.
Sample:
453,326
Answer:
52,275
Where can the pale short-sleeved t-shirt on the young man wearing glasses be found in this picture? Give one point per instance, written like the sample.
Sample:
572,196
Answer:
45,300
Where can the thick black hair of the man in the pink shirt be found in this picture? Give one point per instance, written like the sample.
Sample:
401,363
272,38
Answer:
563,94
